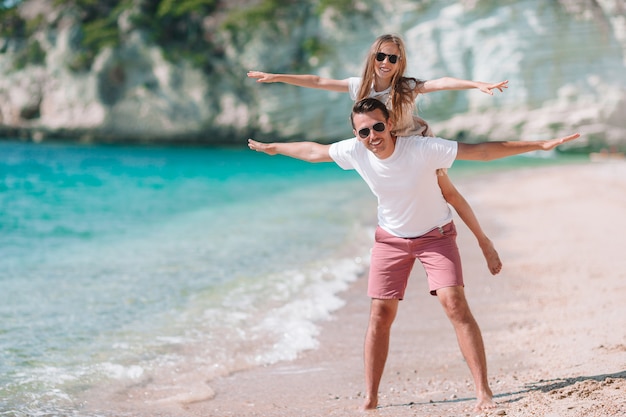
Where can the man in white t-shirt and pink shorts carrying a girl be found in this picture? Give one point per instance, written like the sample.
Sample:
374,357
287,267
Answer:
414,221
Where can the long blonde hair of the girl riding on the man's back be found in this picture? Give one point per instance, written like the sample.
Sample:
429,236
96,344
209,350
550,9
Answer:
402,95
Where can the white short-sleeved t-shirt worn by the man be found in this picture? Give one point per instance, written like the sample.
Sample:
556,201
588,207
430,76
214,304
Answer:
410,202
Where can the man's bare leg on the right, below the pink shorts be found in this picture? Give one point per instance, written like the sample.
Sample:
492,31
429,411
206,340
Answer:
470,341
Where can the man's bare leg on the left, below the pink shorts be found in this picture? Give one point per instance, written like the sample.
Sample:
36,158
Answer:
382,315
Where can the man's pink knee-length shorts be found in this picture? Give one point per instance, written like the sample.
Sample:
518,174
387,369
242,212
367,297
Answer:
393,259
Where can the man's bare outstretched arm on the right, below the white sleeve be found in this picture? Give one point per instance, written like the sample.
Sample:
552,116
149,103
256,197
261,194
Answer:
487,151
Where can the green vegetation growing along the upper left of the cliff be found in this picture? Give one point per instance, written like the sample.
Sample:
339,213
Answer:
190,30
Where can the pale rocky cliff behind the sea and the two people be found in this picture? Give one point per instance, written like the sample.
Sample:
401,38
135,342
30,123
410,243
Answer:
565,62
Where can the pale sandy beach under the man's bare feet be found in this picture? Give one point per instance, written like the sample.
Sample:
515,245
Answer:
553,321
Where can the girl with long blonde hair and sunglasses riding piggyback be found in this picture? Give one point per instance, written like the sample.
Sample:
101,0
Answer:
383,78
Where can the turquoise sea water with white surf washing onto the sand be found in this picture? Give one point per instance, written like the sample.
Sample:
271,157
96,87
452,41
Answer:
119,264
